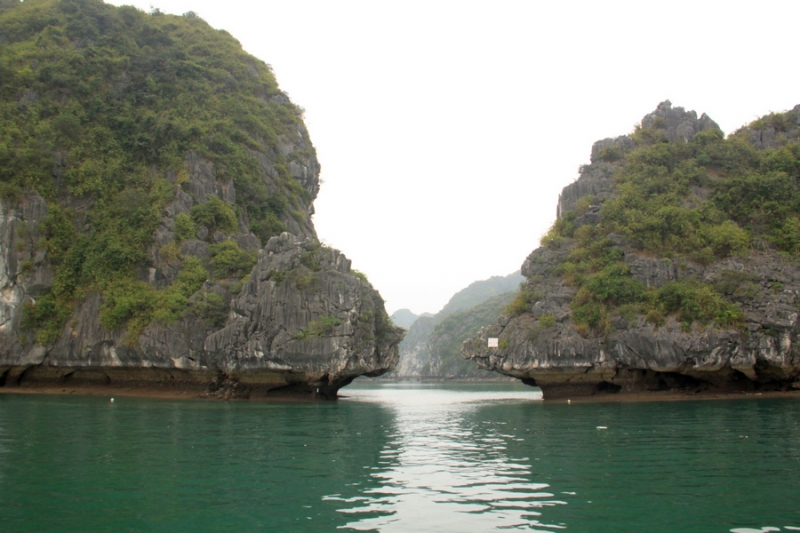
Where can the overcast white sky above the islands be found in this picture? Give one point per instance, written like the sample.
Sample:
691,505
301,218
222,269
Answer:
447,128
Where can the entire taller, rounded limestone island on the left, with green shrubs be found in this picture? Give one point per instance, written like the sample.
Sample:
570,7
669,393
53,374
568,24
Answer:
156,193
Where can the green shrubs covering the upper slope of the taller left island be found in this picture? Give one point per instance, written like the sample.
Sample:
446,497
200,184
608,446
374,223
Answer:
99,108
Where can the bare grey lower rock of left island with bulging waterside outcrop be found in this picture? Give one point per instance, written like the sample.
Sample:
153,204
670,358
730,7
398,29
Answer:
291,328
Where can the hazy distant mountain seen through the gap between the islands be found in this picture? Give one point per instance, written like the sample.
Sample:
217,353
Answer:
432,346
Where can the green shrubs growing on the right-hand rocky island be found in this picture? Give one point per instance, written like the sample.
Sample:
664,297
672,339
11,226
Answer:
698,201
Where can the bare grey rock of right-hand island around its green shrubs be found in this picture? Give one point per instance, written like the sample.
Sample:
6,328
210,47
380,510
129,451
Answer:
543,345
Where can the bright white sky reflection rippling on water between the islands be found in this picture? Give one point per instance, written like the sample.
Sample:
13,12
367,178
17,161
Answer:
445,469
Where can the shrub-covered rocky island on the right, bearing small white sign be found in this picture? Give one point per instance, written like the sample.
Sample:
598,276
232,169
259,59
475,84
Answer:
708,304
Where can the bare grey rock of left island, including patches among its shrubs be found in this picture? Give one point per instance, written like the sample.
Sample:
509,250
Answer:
300,322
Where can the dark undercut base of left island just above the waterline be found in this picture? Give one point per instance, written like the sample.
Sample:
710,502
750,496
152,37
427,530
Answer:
159,383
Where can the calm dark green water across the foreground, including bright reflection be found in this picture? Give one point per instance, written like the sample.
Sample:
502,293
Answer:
399,458
